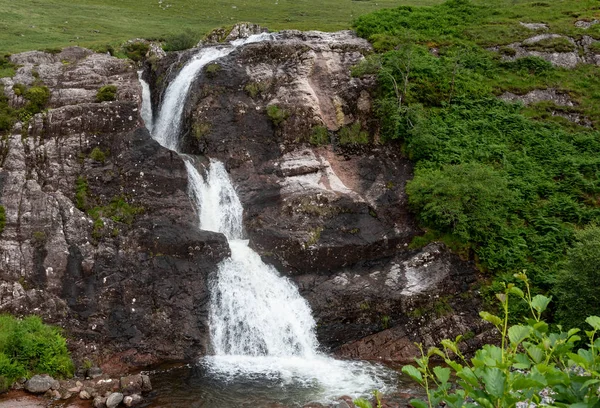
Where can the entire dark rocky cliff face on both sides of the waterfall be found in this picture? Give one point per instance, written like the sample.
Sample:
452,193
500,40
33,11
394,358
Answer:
100,234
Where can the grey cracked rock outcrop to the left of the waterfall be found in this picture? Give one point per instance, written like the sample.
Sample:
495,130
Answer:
99,234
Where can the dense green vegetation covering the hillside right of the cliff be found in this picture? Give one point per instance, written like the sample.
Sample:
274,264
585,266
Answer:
510,185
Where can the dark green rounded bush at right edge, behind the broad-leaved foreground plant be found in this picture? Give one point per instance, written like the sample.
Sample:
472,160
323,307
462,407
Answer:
577,281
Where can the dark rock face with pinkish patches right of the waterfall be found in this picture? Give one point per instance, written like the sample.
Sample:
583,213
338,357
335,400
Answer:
333,217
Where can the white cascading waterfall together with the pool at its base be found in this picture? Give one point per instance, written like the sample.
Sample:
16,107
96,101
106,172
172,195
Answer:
264,347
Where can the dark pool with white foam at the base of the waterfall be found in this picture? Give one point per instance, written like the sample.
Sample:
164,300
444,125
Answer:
269,382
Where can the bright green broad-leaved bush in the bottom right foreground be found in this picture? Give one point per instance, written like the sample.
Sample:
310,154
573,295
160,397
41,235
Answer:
532,365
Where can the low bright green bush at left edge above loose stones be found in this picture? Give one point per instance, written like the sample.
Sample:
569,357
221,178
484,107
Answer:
30,347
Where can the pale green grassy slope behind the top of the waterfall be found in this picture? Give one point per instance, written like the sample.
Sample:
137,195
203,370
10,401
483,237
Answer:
41,24
